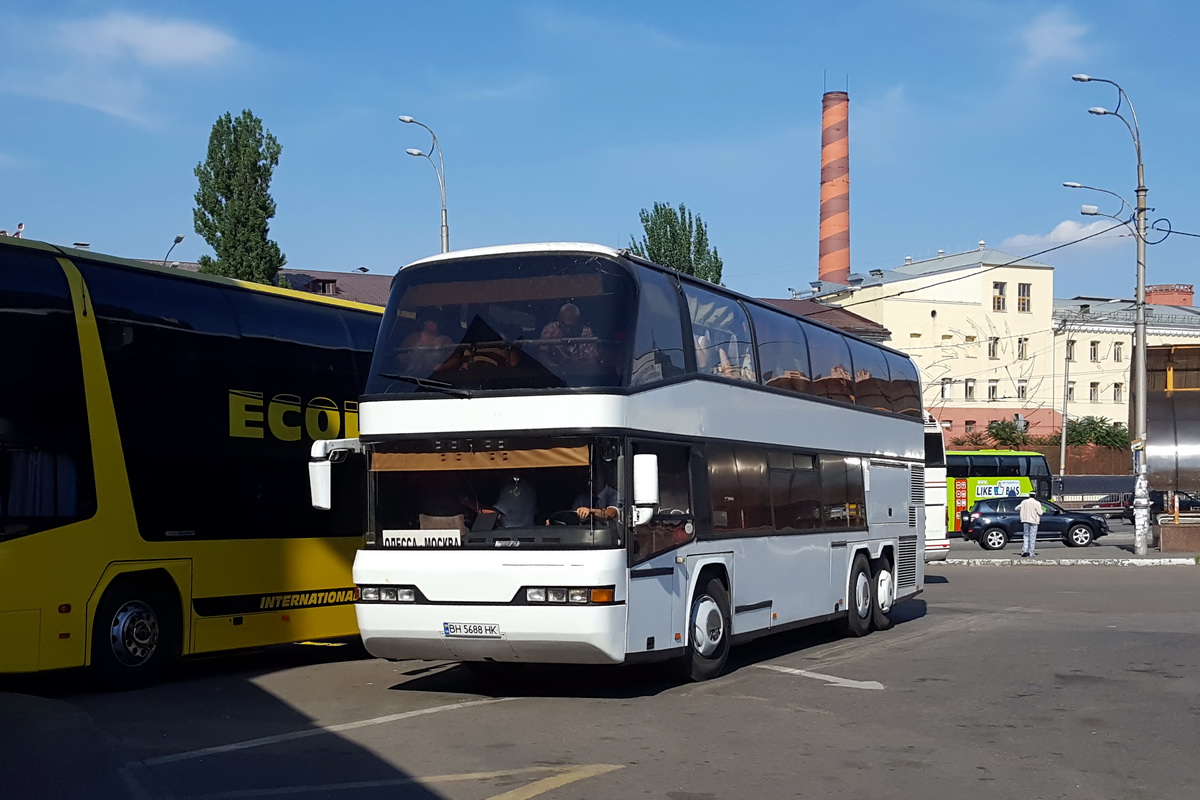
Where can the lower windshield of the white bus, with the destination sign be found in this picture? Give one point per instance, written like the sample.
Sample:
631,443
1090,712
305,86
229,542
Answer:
494,494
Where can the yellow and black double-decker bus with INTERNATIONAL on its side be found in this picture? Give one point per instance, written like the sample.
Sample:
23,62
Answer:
154,437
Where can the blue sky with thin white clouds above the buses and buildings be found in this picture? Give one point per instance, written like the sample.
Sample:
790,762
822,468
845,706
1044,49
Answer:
561,121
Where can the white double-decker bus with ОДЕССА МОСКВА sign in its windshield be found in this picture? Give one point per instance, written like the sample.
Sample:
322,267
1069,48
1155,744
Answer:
577,456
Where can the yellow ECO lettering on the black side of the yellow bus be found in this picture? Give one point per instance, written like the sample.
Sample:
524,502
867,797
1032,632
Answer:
289,419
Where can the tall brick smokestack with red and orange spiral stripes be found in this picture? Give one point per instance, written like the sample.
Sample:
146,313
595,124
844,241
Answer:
835,261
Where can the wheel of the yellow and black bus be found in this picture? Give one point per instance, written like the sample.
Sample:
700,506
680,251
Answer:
134,637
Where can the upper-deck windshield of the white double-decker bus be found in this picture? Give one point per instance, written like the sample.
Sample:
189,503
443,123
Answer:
538,321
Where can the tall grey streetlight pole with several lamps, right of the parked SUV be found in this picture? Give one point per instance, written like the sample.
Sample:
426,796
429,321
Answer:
1141,489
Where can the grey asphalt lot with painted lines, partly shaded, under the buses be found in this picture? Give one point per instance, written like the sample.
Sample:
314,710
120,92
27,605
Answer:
1012,684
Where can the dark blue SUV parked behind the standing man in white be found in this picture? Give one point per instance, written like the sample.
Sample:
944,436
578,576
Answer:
994,524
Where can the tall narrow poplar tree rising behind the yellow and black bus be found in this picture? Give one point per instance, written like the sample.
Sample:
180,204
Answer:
233,204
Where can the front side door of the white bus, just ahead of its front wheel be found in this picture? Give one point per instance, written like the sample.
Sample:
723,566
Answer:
657,580
